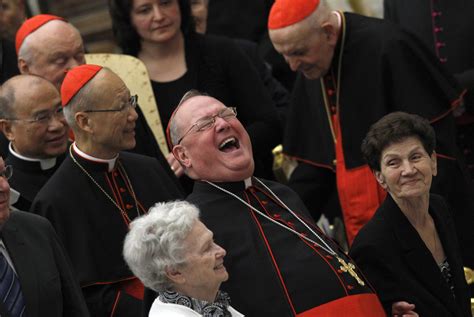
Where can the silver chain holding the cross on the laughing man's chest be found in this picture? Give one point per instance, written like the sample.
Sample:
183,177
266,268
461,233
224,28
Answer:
323,245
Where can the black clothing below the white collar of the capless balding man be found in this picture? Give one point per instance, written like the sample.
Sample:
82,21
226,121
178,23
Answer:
28,178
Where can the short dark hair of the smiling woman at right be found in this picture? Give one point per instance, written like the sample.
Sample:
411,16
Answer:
393,128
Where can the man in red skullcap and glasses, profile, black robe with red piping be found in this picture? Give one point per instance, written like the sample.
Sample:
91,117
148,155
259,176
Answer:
99,189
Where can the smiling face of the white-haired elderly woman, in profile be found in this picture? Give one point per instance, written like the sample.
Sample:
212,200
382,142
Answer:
204,270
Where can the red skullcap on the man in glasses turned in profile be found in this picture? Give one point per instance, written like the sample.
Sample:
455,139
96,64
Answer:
75,79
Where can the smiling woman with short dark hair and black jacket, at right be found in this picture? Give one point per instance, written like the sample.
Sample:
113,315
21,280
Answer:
409,250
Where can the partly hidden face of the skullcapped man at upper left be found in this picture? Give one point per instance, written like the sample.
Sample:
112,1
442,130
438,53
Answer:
55,47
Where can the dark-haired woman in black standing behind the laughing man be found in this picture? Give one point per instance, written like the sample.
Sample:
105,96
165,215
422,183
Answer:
161,33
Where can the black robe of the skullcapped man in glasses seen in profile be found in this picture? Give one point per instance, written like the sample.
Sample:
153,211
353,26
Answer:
89,225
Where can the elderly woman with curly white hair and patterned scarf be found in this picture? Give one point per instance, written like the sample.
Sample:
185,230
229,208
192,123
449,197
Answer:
173,253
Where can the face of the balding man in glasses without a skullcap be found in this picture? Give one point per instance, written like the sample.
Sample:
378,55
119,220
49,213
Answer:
39,129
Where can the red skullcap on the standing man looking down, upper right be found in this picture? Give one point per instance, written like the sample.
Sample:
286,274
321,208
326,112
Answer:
288,12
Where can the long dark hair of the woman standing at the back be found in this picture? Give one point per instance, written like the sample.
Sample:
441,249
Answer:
126,35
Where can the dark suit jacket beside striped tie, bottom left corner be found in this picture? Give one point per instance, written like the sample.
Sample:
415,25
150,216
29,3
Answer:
47,282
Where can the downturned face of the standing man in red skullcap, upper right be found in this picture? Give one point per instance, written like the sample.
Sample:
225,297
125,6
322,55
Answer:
306,50
